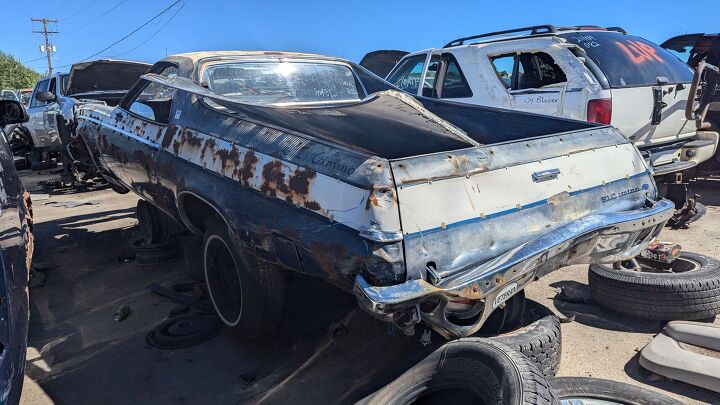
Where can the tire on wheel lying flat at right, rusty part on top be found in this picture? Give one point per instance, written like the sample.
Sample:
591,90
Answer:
681,295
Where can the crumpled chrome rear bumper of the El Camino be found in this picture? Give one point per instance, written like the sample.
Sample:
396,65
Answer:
598,238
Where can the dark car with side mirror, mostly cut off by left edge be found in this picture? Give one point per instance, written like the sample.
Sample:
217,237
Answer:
15,255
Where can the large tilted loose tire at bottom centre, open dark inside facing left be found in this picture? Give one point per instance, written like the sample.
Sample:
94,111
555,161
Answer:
473,371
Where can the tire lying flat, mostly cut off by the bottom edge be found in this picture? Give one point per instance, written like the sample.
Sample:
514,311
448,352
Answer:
567,388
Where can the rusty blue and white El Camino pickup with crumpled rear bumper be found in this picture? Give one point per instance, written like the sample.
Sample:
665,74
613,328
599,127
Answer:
428,210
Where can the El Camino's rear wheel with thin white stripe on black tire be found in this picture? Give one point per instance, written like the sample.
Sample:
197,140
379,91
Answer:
247,293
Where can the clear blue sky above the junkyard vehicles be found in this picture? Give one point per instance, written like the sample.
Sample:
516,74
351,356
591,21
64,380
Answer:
341,28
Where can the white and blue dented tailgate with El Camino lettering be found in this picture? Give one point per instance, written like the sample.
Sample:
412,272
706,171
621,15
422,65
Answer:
463,208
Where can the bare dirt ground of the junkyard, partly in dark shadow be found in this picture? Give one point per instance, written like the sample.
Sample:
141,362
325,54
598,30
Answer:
326,351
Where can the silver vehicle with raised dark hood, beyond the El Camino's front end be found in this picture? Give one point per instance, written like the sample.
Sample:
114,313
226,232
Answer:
53,99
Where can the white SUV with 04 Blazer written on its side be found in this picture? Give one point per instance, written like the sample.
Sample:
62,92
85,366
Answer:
596,74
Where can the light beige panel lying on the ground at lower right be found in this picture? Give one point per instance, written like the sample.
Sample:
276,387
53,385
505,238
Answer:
686,351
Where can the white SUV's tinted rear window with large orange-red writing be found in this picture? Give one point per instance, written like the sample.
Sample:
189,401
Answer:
629,61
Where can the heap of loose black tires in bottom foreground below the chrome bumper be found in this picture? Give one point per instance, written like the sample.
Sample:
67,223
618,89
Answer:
516,367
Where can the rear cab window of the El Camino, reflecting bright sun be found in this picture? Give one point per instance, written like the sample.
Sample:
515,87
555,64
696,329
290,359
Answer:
278,83
